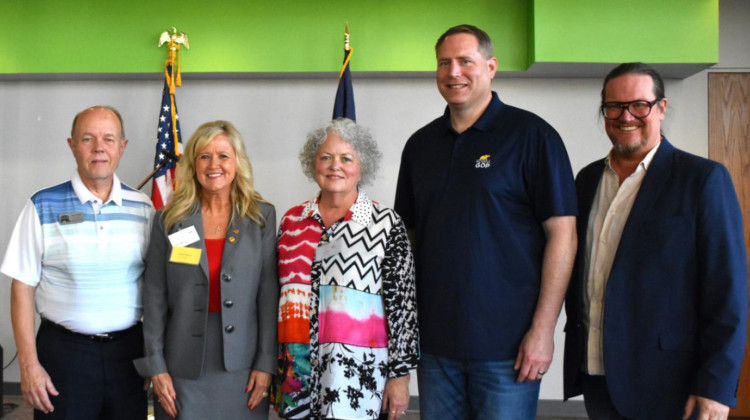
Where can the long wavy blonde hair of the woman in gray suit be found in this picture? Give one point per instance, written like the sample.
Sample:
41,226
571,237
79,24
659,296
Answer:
245,199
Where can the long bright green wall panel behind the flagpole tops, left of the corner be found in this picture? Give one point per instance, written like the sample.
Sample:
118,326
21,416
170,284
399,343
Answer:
83,36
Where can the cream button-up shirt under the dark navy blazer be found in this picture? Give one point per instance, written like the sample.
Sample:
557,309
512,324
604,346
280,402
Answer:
609,214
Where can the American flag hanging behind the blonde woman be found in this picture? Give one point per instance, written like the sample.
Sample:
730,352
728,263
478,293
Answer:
166,149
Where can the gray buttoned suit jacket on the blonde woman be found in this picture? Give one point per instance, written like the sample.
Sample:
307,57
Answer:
175,300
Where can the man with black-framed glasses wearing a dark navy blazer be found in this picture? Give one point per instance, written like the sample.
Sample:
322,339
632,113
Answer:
657,305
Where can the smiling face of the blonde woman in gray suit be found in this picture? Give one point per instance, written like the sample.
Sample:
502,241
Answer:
216,166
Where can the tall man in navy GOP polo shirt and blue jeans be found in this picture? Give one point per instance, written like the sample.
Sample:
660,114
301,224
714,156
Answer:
488,196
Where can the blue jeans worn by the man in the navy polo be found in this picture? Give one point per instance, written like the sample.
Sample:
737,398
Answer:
455,389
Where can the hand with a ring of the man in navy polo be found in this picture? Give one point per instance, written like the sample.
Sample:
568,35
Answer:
534,355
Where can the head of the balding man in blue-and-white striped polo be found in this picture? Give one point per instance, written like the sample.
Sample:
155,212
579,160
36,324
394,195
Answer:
97,146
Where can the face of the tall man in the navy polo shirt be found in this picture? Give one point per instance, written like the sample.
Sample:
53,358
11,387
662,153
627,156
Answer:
464,76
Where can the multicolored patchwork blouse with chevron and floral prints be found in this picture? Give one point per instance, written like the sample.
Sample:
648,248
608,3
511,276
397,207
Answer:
347,311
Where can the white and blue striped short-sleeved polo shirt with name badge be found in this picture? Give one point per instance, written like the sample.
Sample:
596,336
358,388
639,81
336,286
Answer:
84,256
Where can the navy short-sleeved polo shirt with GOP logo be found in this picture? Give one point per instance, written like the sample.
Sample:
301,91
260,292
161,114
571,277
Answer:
477,202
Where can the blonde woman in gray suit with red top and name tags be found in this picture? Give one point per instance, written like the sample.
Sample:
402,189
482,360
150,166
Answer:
210,291
